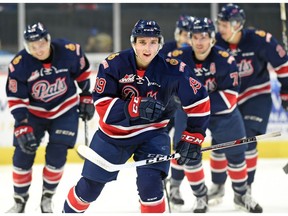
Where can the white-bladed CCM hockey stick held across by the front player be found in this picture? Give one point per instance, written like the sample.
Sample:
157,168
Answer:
95,158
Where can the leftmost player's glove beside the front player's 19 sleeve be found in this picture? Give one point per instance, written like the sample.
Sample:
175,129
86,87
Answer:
86,106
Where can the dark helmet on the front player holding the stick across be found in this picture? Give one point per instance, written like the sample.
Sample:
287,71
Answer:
146,28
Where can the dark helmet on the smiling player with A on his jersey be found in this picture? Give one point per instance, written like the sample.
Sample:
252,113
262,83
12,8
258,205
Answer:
203,25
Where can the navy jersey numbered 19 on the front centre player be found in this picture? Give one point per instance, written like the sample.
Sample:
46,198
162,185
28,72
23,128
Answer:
118,80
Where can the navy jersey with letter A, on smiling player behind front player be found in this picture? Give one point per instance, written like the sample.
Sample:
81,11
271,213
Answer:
218,72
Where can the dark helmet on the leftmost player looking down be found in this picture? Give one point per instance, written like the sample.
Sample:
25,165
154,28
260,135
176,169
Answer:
35,32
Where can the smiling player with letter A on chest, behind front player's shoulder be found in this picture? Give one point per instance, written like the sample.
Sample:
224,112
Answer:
218,71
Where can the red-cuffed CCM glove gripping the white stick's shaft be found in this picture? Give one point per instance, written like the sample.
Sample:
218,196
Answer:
189,147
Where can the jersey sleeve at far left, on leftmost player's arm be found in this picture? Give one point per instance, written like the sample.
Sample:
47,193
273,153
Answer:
17,91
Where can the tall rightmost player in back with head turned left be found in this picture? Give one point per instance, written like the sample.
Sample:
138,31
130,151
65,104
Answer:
252,49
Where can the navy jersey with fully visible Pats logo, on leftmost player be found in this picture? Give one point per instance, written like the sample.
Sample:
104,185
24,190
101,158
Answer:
46,90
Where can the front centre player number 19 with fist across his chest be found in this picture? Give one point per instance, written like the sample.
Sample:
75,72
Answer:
132,94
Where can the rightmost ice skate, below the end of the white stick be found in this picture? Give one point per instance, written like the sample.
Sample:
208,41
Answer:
247,203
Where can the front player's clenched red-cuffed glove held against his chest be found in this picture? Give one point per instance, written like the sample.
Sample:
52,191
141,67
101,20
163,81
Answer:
145,108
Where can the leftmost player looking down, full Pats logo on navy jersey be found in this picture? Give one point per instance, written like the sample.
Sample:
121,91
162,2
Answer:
42,97
